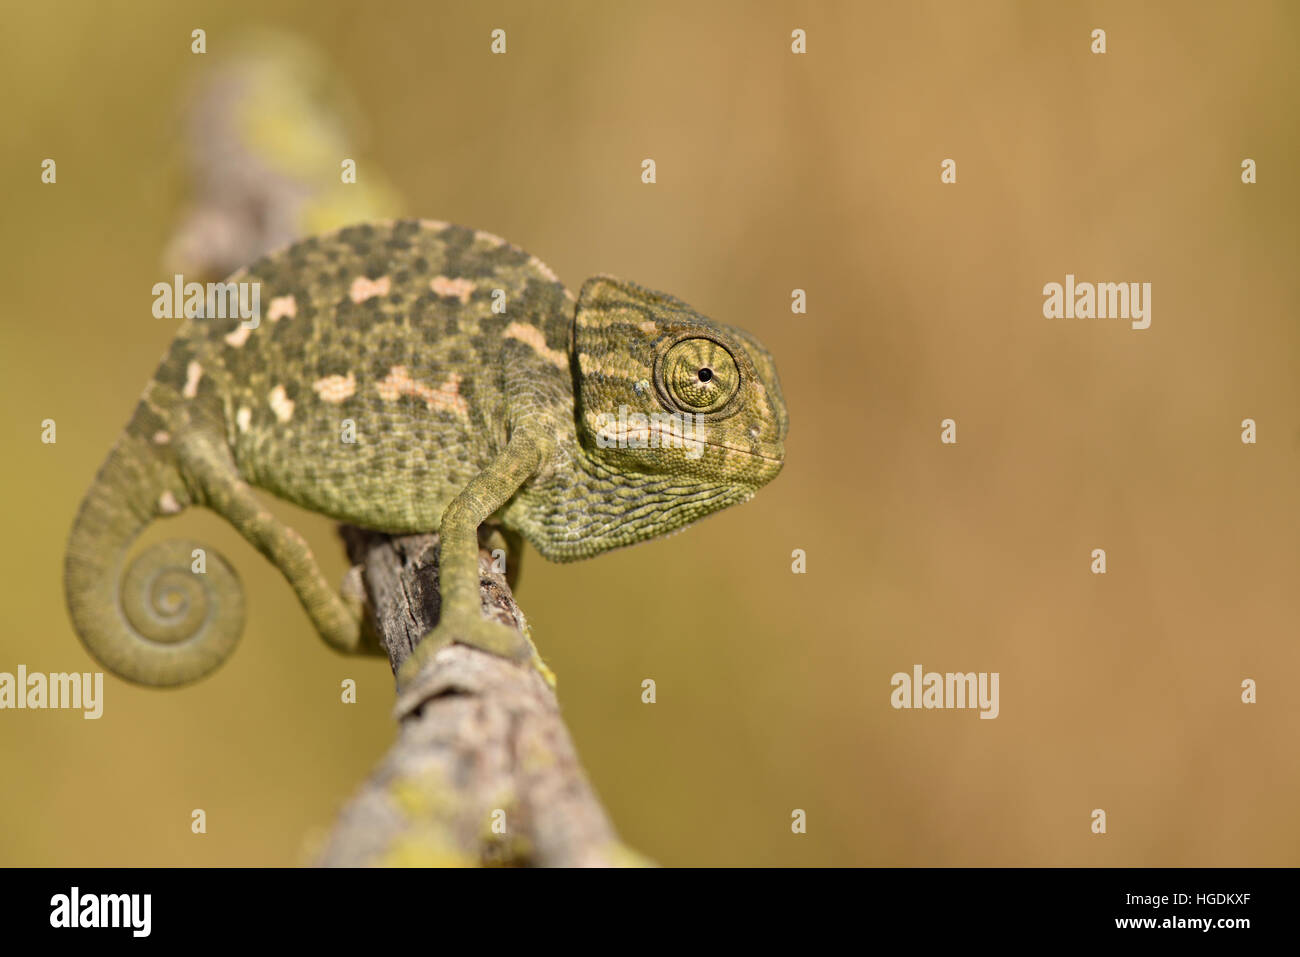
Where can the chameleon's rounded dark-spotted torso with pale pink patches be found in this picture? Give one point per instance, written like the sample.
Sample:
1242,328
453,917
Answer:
372,388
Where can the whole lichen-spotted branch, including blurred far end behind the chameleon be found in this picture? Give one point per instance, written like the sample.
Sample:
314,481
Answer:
484,772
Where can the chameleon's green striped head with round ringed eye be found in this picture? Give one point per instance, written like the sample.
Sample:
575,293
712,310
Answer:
666,392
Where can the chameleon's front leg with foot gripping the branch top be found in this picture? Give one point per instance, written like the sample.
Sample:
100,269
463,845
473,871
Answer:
461,618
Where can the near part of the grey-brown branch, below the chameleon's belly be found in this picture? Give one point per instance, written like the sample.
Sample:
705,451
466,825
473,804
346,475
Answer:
484,772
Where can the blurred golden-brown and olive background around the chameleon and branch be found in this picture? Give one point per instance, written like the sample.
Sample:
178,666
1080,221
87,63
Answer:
775,172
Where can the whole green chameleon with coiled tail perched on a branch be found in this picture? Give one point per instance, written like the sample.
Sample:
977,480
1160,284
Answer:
461,414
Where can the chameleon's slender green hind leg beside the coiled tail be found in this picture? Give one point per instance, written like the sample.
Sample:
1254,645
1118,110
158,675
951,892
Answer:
220,488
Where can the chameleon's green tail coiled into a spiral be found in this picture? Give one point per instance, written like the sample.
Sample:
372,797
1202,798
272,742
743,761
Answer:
163,623
